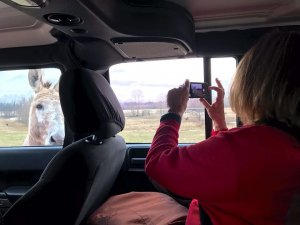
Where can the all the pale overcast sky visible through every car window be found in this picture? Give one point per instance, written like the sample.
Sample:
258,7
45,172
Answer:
153,78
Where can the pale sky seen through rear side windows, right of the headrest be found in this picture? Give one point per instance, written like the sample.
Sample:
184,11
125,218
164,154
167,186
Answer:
155,78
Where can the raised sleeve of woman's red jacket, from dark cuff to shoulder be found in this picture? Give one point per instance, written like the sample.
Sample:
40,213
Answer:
206,170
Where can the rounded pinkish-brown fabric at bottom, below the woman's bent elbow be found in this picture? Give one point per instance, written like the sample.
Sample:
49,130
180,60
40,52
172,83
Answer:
147,208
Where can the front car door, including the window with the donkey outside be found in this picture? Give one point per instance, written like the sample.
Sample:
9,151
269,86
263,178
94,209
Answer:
31,128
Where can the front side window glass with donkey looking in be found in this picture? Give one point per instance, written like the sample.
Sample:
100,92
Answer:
30,112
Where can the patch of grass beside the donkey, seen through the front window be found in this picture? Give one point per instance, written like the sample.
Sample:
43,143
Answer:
12,133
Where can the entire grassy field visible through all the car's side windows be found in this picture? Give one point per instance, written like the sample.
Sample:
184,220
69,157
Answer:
138,129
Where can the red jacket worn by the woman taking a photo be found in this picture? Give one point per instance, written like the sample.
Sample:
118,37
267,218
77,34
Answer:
246,175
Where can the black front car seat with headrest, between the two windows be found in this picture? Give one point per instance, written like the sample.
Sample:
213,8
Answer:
79,178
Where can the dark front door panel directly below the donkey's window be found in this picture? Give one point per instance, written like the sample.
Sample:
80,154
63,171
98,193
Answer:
20,168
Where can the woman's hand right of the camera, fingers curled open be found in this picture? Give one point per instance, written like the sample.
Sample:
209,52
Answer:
216,109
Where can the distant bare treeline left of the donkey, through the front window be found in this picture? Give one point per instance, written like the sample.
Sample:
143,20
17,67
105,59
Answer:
16,109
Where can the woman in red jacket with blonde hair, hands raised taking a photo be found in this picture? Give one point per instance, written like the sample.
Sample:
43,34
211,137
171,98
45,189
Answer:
246,175
